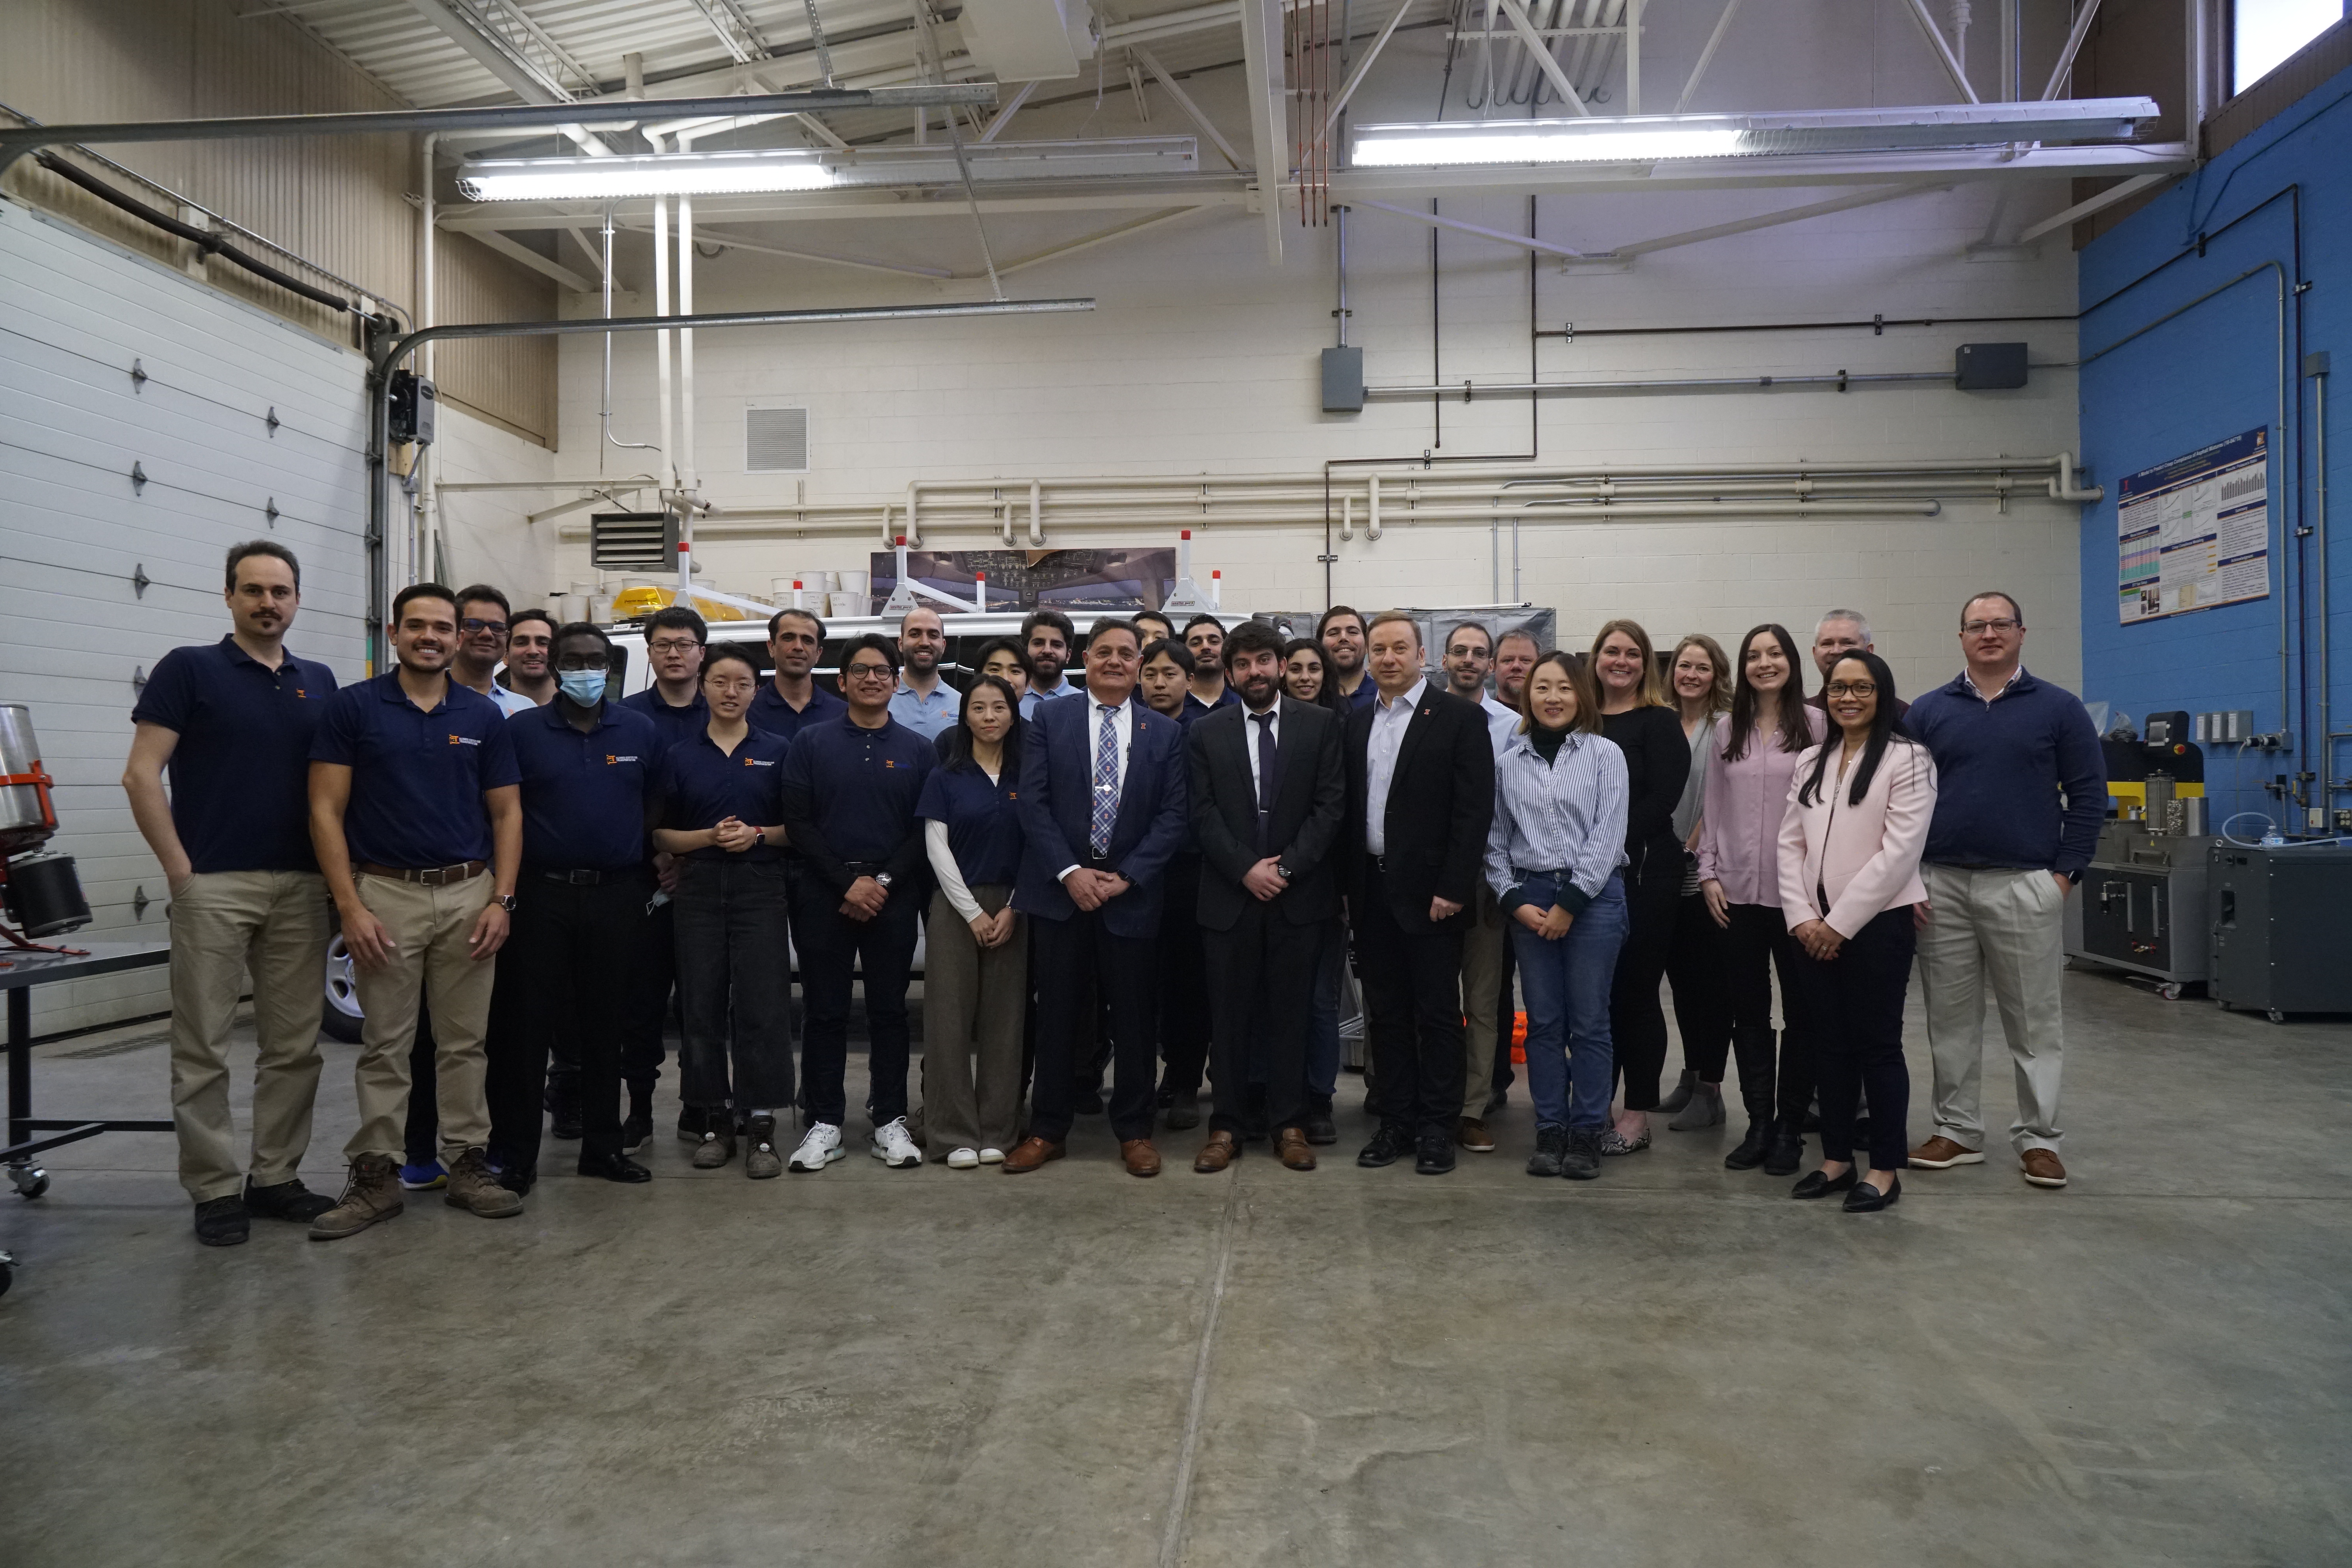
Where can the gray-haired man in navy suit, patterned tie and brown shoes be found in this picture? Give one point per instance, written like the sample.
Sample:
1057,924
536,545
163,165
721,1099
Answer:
1102,812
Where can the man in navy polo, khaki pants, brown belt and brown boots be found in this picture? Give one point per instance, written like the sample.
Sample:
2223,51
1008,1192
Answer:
417,826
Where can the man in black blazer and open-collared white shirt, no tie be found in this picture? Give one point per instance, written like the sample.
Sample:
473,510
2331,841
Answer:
1419,805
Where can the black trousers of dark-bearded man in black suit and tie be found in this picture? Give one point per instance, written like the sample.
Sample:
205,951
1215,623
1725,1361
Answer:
1262,991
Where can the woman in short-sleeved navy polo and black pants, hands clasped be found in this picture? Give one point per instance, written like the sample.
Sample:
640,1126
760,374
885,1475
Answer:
723,819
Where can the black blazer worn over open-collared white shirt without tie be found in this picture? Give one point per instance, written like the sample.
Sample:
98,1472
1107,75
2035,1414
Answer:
1441,805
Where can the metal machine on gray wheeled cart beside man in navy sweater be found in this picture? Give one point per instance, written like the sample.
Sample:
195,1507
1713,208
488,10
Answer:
2144,902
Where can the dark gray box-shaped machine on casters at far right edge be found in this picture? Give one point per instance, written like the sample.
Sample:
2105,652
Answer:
2283,927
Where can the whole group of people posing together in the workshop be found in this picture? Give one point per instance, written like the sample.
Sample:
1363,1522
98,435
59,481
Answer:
1147,850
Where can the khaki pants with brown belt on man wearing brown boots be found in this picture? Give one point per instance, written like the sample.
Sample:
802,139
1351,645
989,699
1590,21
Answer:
432,963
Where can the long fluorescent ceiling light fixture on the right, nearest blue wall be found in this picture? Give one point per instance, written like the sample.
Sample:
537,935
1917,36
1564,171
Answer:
1676,138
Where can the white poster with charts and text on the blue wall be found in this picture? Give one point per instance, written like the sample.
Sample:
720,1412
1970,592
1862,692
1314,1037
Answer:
2196,532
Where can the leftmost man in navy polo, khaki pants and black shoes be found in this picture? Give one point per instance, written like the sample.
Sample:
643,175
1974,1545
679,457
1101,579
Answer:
234,725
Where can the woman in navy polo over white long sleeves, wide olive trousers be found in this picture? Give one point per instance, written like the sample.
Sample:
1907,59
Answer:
975,986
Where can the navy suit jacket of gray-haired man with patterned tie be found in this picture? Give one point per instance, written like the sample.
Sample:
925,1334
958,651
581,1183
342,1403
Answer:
1057,808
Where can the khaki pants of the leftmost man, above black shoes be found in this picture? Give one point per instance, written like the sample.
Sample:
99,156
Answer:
225,925
